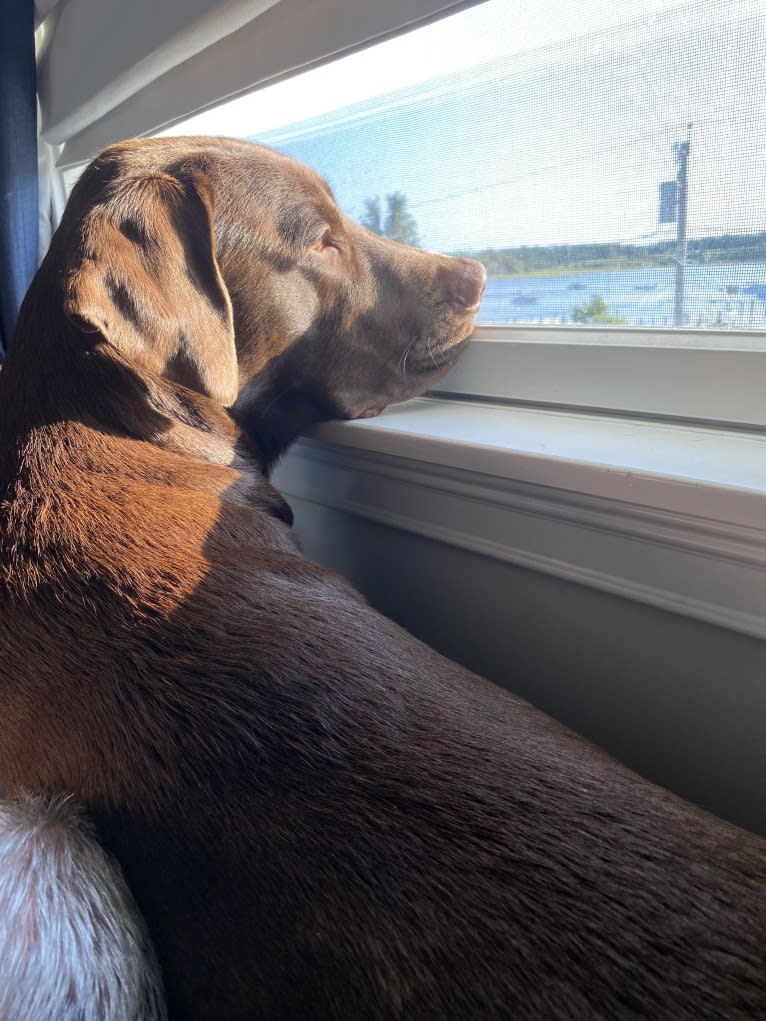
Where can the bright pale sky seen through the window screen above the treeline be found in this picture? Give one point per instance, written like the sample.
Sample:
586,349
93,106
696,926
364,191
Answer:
550,122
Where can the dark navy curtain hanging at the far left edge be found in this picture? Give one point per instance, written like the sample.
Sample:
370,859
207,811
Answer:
19,186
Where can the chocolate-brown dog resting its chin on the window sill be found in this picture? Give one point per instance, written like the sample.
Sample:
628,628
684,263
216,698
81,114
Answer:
319,817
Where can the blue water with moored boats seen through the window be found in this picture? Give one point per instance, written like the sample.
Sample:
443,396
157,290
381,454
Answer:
729,297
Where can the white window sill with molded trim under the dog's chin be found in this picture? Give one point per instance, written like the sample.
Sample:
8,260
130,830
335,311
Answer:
666,514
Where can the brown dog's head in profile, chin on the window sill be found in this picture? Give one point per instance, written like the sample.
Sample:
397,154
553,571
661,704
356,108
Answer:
230,269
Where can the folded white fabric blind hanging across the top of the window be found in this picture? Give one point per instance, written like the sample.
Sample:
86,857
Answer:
109,70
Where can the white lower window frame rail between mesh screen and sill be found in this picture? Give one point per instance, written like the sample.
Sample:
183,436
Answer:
715,376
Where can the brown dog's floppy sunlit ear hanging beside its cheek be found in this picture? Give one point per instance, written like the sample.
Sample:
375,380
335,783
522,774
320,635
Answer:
148,279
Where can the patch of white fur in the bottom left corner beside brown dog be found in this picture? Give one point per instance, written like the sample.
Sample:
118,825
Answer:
73,945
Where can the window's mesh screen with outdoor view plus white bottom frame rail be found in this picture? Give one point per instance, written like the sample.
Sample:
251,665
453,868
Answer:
604,162
